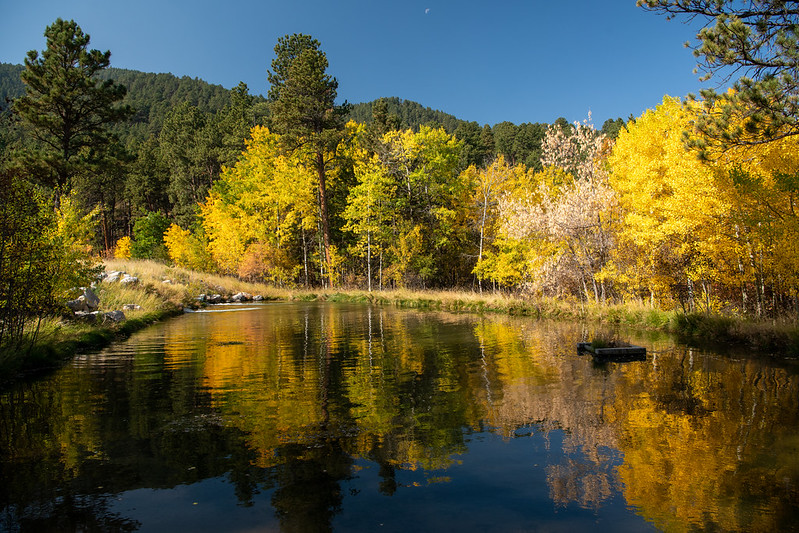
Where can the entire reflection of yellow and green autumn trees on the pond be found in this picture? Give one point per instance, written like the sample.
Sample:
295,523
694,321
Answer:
691,441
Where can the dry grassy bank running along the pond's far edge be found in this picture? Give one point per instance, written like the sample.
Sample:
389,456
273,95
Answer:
163,291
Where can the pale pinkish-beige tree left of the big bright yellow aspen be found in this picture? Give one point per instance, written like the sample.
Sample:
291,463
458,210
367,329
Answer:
569,215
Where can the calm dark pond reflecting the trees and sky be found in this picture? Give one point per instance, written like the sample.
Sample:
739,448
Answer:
317,417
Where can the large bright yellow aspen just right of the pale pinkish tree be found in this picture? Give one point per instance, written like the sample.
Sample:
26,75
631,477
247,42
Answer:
676,220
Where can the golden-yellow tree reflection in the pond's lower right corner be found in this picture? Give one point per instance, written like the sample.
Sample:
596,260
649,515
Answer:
699,448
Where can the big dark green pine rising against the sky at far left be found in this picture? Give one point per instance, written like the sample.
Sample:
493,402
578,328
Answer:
67,109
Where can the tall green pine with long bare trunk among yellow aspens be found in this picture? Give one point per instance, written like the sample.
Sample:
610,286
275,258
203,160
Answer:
304,112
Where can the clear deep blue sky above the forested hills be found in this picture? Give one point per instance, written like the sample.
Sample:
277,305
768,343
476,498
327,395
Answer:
521,61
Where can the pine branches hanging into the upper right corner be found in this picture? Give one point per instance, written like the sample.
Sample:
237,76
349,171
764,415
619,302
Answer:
758,39
